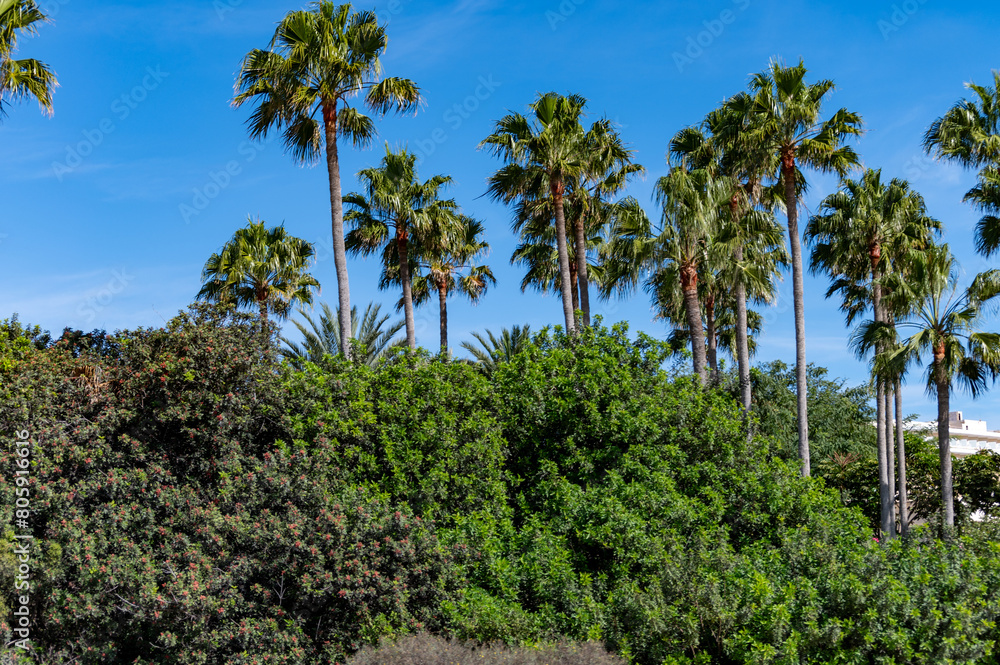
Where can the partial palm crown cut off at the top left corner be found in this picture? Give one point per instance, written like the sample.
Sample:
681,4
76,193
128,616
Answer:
24,78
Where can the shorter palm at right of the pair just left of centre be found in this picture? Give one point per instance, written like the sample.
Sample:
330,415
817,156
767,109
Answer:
444,265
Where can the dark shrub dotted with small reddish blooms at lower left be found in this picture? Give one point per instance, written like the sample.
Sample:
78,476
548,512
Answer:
173,524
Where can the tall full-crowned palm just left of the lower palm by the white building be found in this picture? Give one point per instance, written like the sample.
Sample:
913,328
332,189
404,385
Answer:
854,236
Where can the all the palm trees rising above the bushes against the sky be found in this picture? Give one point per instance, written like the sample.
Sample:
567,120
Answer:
717,247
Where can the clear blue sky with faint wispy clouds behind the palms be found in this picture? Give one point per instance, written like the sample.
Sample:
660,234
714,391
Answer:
98,230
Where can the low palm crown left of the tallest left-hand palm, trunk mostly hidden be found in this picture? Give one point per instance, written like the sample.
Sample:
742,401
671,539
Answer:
263,268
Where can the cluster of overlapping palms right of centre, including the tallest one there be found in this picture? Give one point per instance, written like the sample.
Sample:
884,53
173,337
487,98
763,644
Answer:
718,245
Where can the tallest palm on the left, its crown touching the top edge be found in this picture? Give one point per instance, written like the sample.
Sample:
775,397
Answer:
318,60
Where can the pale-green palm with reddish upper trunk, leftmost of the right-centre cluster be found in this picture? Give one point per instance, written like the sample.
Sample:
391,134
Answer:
691,202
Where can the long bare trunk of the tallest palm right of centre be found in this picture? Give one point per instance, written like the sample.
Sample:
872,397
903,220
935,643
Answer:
798,297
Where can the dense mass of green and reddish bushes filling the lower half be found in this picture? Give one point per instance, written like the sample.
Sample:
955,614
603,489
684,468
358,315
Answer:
195,502
